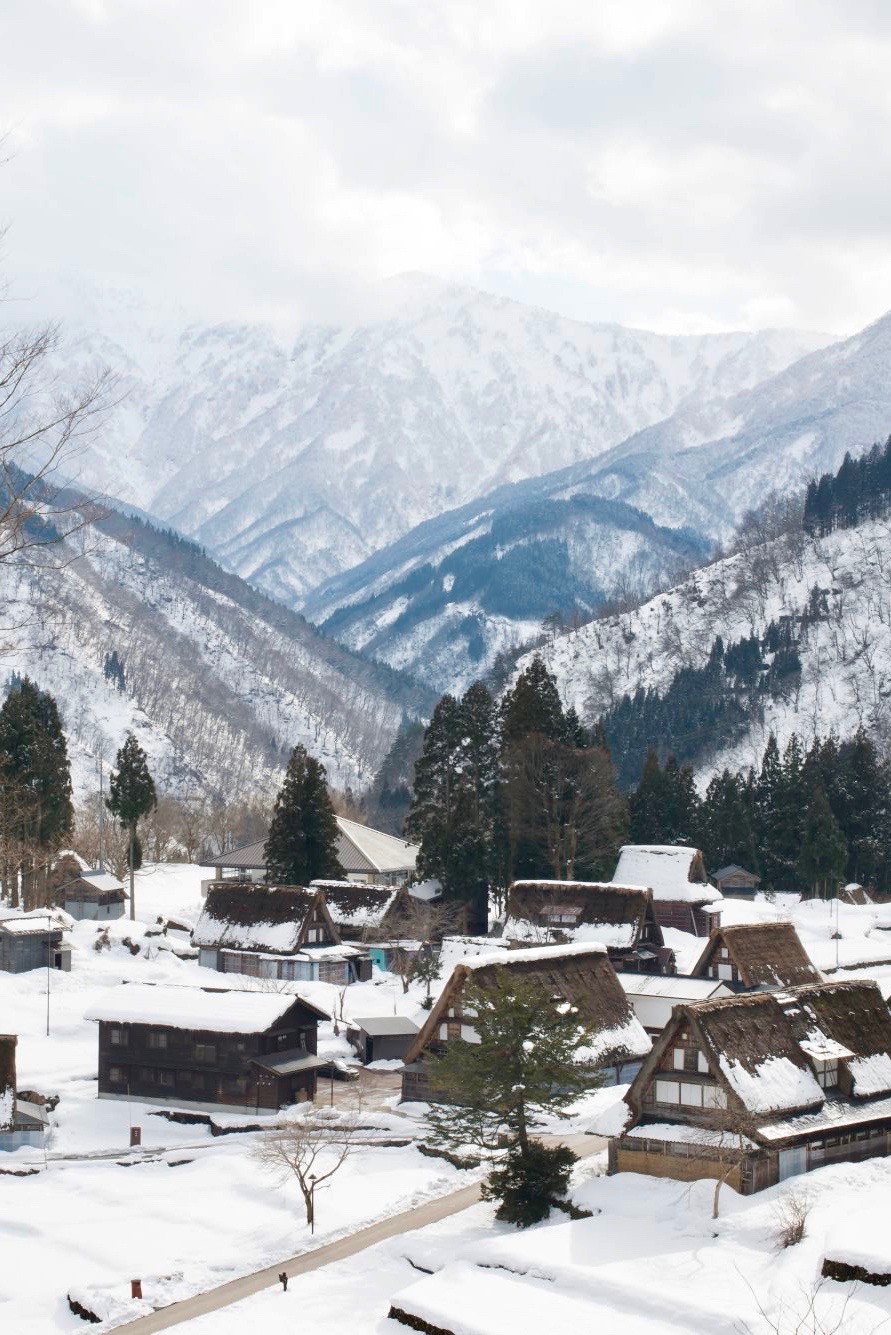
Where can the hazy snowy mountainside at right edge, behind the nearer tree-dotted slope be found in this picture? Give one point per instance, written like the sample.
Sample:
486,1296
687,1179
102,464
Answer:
711,461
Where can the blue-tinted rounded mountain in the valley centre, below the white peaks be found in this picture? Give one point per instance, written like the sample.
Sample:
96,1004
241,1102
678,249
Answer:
445,600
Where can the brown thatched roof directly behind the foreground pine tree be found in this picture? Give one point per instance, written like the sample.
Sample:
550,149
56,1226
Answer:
580,975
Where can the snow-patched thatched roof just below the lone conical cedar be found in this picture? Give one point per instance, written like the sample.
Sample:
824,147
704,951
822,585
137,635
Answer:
253,916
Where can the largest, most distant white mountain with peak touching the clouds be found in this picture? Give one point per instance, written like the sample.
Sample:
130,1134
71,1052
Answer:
293,464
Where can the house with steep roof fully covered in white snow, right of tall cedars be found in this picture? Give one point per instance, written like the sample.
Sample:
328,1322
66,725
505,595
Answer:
682,894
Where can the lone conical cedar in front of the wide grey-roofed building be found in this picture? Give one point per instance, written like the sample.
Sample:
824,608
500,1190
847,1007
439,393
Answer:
304,832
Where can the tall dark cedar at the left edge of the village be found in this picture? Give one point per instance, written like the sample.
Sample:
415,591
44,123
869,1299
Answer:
35,779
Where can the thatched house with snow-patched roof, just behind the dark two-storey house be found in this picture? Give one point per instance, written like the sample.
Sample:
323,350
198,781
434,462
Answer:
275,932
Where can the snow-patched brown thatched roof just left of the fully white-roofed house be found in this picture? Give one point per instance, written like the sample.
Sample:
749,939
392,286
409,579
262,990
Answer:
614,915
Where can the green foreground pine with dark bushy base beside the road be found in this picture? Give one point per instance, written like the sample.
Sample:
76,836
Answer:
522,1069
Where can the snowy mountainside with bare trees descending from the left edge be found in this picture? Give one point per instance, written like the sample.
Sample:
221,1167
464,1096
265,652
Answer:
220,680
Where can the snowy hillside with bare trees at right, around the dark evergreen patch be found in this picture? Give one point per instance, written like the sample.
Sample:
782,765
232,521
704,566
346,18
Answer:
846,655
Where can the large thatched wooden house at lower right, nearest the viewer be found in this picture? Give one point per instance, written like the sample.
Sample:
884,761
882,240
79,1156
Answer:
762,1086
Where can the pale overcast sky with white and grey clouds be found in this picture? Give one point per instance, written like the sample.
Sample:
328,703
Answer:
673,165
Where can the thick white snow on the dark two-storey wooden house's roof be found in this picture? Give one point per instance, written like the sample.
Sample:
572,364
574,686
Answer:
194,1009
